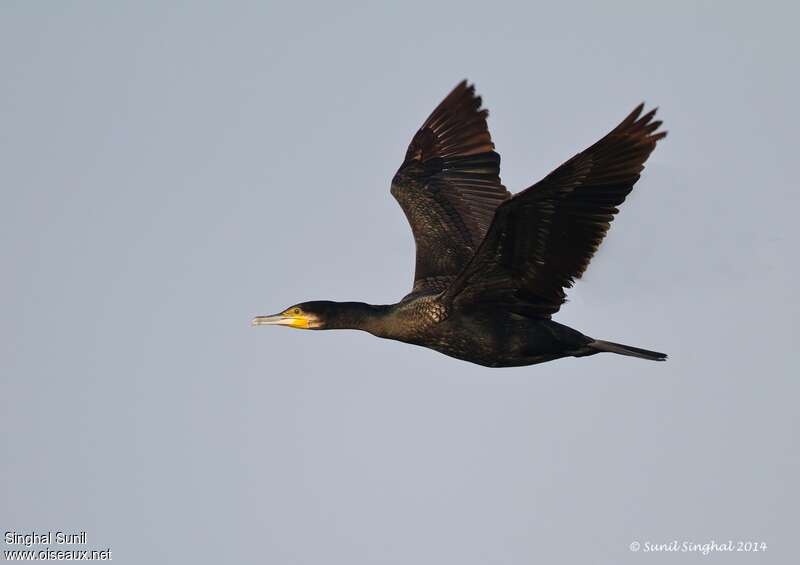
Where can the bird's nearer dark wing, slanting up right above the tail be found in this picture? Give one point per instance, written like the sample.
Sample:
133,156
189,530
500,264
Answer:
543,238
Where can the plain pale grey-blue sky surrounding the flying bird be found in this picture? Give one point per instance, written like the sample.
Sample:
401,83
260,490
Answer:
171,170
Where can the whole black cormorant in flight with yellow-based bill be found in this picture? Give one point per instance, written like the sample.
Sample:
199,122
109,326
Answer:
491,268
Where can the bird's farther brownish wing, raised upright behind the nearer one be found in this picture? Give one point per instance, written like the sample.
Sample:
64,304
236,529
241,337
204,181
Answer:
449,187
